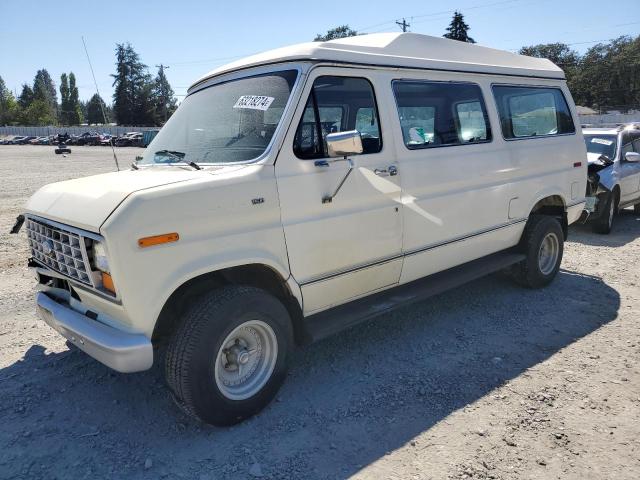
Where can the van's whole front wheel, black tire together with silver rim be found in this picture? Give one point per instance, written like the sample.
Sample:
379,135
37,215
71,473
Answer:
228,358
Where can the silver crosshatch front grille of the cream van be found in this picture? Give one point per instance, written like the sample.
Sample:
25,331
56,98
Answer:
61,249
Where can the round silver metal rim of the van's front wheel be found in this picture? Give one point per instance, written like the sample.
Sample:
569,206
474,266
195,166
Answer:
246,360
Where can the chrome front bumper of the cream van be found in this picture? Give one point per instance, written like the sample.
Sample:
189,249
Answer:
123,351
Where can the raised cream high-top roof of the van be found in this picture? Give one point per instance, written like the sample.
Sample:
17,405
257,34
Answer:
408,50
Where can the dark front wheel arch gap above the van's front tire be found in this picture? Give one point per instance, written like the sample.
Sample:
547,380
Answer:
257,275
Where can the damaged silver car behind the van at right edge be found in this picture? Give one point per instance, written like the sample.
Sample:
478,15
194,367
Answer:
613,180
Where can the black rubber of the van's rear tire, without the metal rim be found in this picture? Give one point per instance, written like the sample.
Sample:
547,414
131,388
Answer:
529,273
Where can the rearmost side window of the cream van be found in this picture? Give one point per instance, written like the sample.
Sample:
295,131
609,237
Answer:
532,111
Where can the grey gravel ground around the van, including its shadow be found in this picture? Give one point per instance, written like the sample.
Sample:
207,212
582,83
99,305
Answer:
490,381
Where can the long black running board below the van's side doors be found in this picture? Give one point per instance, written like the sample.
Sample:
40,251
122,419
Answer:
336,319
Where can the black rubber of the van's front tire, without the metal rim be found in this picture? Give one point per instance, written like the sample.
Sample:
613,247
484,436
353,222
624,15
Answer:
190,362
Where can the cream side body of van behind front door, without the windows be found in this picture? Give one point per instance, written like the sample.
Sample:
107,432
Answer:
463,202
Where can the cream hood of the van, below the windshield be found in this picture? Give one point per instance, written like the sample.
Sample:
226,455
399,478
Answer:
87,202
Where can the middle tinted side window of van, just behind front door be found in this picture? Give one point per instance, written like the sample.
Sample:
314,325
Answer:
434,114
